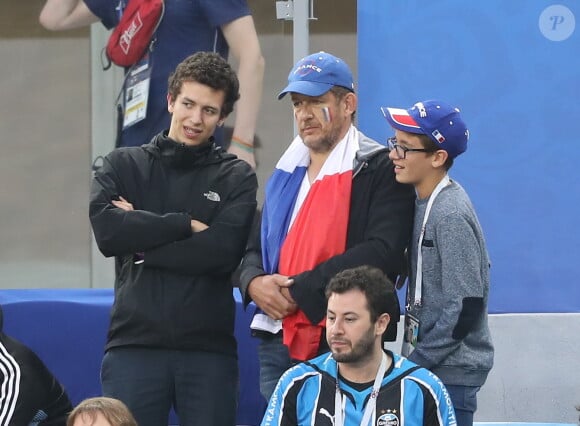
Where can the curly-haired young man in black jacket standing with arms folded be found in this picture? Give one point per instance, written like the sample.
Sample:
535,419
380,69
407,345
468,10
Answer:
176,213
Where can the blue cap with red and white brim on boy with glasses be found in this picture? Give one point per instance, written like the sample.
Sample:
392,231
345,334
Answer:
436,119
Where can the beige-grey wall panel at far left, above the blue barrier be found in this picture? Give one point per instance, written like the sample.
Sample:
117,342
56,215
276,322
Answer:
44,166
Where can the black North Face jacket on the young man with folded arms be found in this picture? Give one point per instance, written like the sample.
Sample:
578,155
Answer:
173,288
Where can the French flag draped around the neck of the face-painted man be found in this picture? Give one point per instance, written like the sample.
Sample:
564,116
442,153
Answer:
300,232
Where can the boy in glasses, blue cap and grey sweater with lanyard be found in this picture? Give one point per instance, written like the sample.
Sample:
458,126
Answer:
446,327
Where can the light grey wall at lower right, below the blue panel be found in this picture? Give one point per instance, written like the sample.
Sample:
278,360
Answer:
535,377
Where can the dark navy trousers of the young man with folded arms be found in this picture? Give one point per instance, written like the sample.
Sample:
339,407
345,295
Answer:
201,386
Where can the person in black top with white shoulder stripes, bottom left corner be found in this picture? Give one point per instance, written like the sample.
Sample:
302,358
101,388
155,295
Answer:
30,395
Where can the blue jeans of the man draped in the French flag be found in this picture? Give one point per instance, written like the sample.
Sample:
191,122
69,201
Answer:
274,361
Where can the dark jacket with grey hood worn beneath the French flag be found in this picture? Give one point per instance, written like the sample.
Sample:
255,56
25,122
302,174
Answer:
379,230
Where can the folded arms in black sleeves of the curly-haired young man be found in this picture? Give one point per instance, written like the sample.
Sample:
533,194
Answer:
174,241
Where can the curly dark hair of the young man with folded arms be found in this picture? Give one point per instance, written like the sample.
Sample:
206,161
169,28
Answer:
210,69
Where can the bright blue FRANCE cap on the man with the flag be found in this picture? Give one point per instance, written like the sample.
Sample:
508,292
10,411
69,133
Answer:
316,74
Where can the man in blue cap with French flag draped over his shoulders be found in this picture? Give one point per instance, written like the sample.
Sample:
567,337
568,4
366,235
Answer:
332,203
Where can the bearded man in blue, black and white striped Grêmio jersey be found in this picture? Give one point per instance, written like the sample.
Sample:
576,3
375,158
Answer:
358,382
